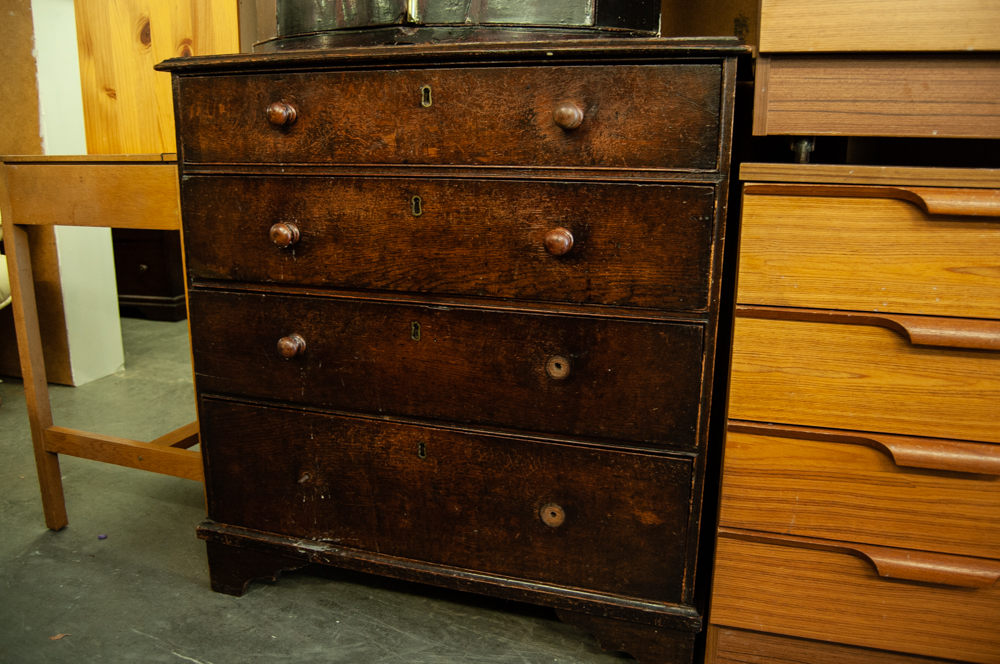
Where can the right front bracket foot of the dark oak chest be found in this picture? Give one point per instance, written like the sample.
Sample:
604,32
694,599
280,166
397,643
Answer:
647,643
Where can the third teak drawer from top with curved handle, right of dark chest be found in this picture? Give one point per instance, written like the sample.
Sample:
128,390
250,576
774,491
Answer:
863,488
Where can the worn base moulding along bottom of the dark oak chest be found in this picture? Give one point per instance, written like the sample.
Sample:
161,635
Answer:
670,616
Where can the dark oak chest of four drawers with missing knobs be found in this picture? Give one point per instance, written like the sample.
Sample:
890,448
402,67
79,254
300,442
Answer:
454,313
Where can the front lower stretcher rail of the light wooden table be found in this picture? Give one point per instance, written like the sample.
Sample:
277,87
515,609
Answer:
155,458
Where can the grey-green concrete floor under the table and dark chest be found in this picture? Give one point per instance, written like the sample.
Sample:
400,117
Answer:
142,594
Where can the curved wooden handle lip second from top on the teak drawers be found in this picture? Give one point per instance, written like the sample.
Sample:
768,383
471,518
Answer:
935,331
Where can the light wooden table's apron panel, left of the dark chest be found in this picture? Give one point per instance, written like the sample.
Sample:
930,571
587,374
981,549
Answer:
125,195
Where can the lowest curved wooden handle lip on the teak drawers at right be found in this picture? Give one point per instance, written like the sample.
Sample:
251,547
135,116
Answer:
890,563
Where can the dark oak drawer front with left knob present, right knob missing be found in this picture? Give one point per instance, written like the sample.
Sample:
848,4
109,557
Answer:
608,378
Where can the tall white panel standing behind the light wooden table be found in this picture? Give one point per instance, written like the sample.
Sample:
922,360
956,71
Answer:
86,261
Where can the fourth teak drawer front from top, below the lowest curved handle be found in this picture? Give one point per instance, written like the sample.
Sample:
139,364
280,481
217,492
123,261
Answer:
832,596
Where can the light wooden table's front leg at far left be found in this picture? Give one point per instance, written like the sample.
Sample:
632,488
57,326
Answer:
29,344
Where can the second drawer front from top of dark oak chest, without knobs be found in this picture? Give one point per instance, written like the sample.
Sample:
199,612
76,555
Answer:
644,246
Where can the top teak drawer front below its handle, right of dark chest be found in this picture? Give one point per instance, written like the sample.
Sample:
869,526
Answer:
867,254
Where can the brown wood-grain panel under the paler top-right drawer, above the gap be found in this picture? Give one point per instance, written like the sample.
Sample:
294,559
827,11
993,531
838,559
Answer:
878,95
